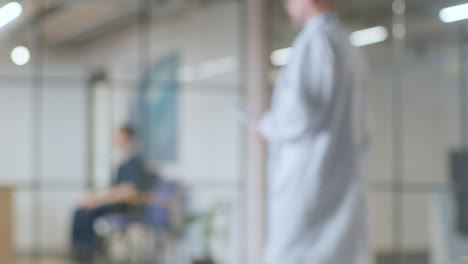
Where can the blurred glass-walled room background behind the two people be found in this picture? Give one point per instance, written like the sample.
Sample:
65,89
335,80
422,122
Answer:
71,72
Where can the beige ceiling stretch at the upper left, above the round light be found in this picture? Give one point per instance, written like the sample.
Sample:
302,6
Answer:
72,23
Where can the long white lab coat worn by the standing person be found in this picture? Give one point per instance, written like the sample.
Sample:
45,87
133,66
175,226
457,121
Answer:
317,134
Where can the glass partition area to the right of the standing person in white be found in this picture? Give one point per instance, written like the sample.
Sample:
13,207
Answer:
418,98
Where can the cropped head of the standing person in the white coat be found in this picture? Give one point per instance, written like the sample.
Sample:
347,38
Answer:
300,11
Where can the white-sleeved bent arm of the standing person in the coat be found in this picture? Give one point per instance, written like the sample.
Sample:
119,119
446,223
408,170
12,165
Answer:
308,87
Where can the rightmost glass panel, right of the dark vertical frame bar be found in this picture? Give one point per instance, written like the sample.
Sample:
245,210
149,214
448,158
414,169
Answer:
430,127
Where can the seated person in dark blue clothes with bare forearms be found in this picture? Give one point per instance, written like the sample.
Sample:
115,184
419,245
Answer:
129,182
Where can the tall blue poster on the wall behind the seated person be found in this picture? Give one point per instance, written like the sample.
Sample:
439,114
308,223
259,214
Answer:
158,110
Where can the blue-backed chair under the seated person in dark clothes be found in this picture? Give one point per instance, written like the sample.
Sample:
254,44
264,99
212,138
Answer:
147,237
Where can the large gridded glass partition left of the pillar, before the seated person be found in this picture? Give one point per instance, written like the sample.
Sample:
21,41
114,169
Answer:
96,66
